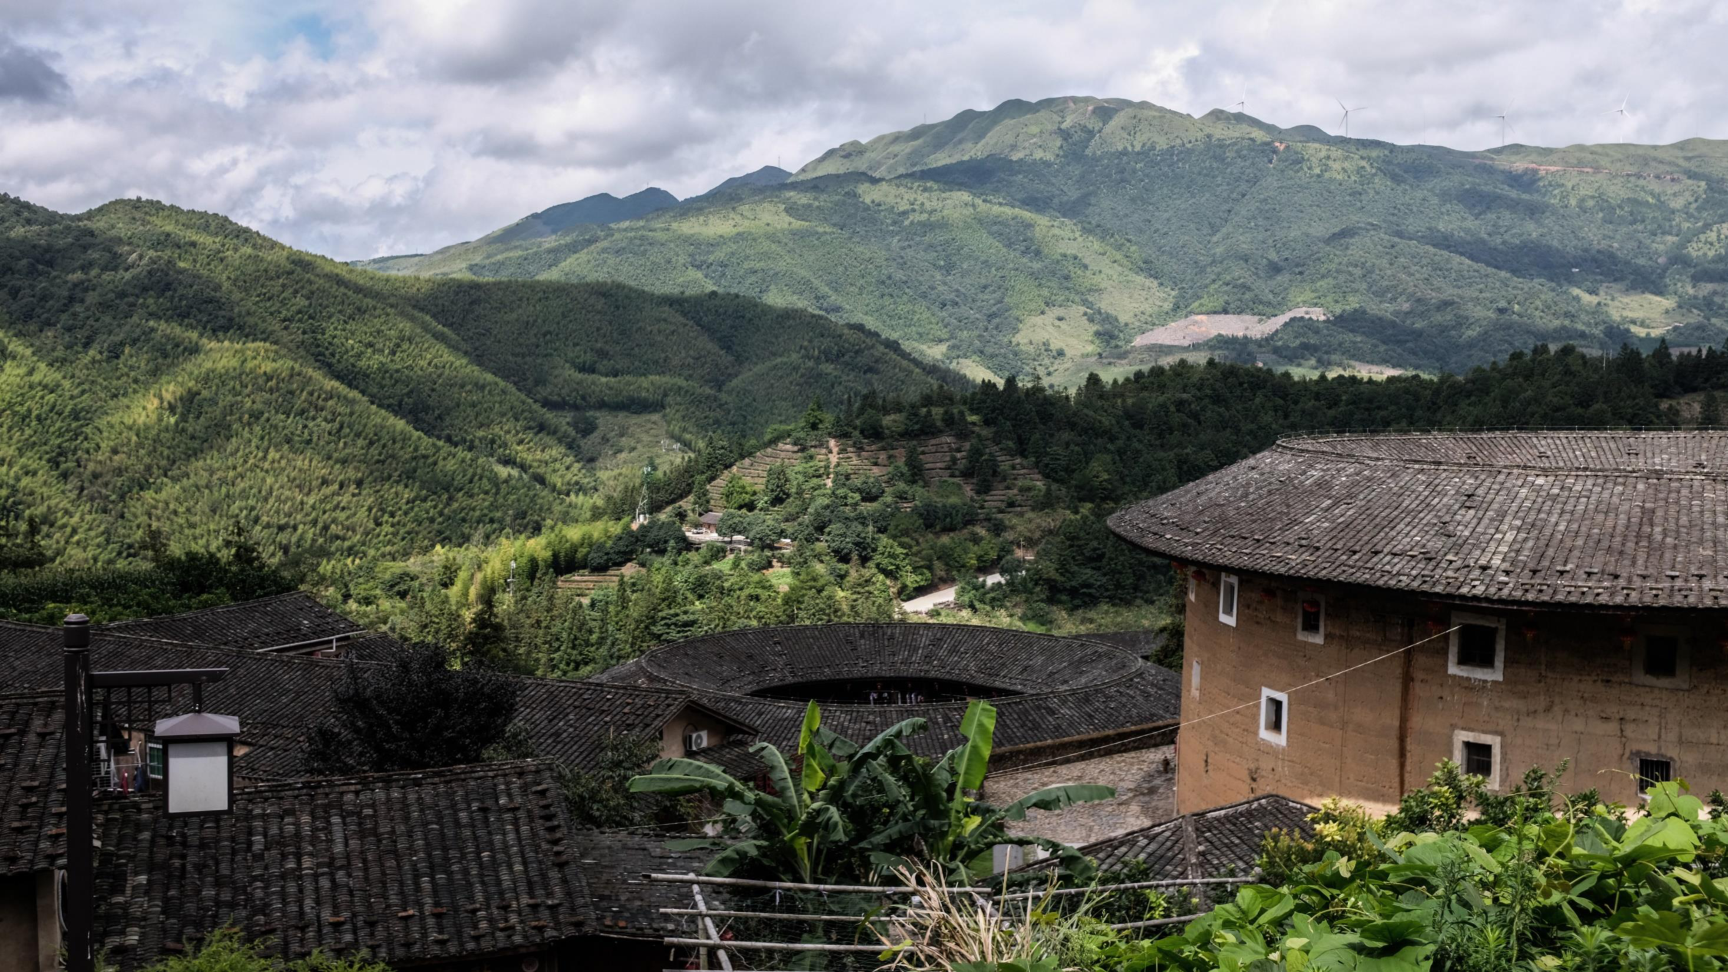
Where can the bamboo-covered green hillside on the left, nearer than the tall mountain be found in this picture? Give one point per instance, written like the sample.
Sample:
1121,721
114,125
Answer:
168,374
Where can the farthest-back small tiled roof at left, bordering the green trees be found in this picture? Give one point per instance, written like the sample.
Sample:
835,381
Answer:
295,618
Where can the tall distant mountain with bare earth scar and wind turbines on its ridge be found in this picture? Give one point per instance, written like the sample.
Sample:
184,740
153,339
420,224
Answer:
1046,238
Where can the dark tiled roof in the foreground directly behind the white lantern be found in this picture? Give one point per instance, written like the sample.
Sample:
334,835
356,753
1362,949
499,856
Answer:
405,867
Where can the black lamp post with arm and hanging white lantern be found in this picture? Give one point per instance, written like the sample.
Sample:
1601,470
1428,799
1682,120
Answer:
201,741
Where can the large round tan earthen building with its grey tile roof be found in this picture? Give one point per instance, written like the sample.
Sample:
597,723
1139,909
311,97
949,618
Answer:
1501,599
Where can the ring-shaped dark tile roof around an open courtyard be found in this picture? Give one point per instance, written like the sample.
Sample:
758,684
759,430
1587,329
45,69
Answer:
1065,687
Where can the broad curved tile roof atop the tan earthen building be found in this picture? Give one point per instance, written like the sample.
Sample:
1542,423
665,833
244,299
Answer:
1625,520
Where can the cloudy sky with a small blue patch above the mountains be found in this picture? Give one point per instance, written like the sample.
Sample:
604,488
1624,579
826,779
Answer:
362,129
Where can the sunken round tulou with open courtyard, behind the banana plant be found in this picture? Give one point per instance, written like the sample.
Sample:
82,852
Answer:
1069,710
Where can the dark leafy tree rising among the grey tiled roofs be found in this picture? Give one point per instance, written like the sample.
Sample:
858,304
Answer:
414,713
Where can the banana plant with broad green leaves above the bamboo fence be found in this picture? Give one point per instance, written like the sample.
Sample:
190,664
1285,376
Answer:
858,812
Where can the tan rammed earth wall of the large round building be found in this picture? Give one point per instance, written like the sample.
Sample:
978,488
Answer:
1573,686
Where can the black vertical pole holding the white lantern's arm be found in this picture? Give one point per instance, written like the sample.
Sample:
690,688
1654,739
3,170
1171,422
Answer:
80,864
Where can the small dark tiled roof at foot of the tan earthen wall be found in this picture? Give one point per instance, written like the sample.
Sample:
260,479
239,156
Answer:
1214,843
